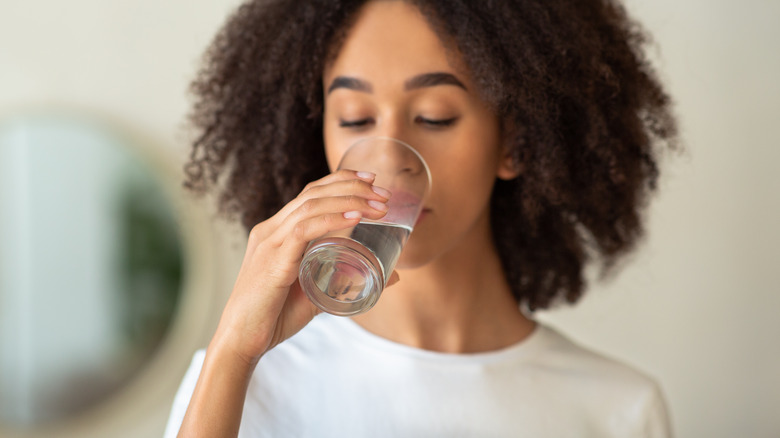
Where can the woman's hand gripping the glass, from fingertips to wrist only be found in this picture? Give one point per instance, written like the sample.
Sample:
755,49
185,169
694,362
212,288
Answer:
267,304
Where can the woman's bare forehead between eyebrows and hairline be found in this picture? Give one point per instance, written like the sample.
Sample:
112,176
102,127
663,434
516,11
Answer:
389,42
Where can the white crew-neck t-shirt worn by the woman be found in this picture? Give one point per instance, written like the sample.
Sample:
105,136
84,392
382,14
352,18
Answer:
335,379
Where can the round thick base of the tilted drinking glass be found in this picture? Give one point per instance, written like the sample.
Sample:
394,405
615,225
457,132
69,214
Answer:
341,276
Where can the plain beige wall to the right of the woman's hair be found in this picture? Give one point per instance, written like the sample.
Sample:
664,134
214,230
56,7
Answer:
699,306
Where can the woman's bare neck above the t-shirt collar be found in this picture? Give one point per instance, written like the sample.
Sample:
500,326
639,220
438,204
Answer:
458,303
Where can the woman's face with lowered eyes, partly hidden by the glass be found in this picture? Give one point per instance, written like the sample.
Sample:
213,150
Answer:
392,77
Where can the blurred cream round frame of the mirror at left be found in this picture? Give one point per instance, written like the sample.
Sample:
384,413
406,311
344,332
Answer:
141,405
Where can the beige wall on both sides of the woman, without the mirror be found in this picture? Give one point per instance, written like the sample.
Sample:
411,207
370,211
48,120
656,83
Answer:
697,307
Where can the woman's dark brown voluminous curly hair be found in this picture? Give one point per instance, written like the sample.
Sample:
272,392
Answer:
570,76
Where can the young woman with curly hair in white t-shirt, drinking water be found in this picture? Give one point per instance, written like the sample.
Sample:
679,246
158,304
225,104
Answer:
540,121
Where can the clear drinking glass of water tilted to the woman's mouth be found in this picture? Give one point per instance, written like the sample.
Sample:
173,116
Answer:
344,272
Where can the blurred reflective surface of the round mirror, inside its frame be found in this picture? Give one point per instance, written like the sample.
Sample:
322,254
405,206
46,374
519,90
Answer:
90,266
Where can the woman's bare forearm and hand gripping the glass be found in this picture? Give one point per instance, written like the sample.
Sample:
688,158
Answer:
267,304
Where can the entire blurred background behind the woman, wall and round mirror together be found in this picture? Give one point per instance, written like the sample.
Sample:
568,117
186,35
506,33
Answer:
110,277
